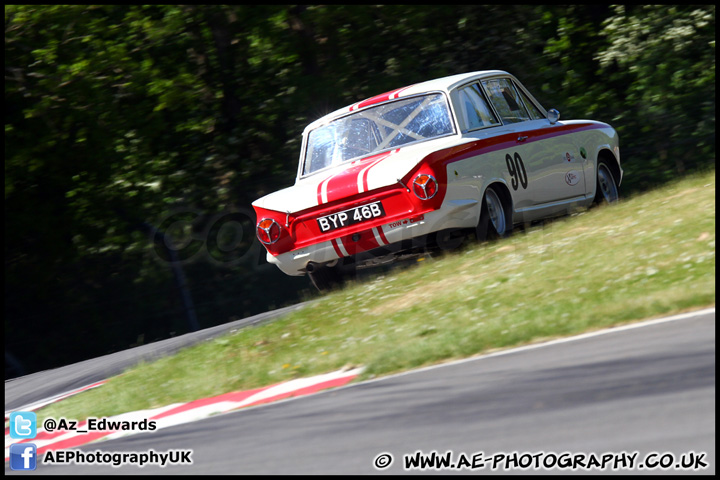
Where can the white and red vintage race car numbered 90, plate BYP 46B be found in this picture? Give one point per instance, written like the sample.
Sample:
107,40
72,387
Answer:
420,167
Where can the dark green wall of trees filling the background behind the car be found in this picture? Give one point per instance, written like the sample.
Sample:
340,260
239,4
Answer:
118,116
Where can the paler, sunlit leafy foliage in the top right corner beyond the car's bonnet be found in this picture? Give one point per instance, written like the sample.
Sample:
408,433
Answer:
664,57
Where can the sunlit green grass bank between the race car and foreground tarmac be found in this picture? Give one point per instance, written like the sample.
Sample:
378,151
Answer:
648,256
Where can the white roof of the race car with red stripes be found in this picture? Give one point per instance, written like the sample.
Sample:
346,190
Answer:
444,84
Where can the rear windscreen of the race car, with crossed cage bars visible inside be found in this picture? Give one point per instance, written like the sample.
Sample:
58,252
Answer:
375,129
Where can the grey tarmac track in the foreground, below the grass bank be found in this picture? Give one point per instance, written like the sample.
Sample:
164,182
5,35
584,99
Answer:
646,389
